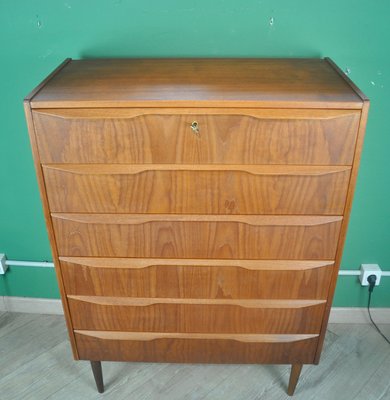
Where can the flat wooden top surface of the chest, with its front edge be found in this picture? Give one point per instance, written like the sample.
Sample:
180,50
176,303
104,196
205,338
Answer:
289,83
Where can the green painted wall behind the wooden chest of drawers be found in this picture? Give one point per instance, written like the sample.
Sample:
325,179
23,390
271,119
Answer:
36,36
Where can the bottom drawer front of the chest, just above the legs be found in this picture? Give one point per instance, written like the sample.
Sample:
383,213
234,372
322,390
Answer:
196,348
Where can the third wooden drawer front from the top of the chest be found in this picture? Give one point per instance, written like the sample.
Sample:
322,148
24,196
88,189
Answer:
197,236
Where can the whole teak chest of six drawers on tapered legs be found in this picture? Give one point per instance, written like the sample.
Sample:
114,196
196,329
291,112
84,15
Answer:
197,208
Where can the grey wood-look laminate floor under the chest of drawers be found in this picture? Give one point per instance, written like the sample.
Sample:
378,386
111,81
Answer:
36,363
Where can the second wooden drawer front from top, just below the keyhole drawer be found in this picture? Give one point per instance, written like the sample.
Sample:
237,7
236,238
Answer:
199,190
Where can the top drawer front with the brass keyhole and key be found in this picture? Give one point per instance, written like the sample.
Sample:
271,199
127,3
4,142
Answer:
163,136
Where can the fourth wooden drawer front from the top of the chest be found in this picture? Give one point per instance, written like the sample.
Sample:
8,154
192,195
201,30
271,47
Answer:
199,279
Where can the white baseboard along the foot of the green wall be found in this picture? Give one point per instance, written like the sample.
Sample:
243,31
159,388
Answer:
343,315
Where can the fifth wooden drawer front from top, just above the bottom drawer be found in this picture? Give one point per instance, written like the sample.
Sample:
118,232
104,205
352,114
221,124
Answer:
196,315
